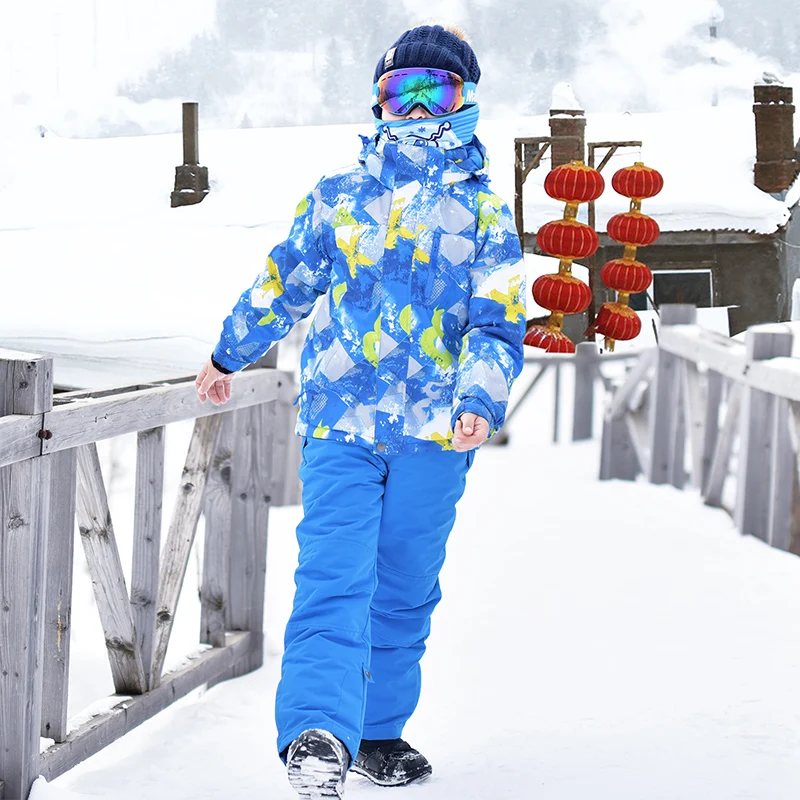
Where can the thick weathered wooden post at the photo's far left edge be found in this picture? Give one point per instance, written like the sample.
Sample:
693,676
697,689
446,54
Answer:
26,387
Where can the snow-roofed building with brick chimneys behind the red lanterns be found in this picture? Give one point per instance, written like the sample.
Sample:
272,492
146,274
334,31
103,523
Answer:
728,212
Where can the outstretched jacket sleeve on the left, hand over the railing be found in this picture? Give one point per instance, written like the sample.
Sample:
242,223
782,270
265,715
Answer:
296,274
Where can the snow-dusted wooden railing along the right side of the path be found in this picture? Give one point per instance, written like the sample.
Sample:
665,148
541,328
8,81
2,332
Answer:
688,405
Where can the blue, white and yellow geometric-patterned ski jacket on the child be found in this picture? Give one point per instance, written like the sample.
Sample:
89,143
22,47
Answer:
419,268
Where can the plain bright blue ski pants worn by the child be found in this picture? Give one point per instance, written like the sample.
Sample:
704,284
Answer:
372,543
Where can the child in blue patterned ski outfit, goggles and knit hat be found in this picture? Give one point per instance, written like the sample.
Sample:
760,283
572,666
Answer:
406,370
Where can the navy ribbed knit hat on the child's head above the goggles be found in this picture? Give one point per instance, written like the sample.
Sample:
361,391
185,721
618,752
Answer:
431,46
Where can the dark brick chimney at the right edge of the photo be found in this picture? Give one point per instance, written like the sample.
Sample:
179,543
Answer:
776,159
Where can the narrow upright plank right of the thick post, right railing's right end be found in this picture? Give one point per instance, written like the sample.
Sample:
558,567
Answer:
782,478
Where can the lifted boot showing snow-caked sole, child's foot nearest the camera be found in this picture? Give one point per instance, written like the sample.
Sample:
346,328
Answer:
317,763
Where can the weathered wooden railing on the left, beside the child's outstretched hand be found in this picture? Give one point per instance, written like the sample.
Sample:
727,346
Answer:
241,460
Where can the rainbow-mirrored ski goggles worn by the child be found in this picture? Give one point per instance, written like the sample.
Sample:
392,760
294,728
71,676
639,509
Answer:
438,91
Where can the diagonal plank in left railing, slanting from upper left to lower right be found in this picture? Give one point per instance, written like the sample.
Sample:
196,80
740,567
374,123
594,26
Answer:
108,580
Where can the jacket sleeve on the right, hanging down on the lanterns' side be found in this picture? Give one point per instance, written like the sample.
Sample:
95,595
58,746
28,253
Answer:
492,352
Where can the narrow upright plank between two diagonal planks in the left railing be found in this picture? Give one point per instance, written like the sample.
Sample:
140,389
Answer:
147,541
